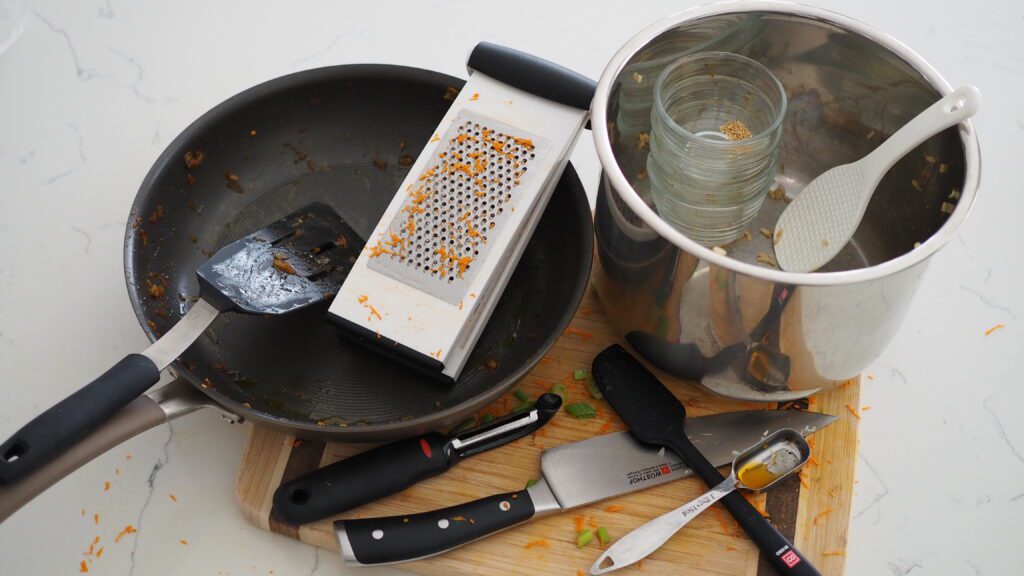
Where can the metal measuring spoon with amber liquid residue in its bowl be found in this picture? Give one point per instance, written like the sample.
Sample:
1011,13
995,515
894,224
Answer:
756,470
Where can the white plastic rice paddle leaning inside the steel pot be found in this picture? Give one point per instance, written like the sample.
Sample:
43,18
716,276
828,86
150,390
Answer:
823,219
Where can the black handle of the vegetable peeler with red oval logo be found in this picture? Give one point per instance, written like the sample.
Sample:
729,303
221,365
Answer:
361,479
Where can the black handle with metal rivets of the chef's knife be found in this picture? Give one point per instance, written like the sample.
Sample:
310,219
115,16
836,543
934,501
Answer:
404,539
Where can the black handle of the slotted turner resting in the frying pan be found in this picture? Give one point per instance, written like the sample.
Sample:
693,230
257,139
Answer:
56,431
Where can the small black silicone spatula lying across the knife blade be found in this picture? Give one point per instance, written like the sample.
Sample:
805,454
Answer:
656,417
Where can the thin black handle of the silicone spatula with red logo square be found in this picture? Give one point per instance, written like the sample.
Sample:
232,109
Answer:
784,557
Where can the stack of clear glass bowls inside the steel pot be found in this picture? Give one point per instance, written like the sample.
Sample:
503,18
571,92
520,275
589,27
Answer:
714,144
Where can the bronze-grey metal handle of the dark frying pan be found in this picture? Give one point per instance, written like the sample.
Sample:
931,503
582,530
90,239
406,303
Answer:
169,402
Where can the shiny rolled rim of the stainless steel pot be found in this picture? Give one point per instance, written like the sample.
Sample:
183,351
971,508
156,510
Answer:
622,187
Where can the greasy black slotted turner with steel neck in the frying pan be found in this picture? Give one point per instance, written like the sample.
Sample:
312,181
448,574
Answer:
297,262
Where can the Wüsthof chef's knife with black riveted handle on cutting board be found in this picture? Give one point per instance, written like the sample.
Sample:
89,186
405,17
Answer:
573,475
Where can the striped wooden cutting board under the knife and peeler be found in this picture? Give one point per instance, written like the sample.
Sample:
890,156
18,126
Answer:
814,509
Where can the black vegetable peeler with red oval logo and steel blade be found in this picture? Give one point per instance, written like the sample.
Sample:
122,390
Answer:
393,468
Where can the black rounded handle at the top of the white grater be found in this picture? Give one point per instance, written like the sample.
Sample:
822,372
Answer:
534,75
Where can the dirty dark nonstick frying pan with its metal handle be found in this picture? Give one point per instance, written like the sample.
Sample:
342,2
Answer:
344,136
